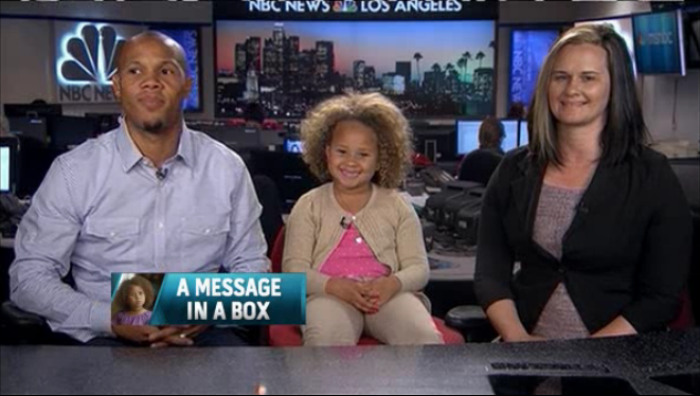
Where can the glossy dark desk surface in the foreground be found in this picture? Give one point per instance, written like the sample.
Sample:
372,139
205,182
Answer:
359,370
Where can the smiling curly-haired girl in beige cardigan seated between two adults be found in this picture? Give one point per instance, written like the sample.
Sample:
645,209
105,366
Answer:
358,241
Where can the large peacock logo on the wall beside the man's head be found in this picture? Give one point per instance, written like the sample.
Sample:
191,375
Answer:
89,55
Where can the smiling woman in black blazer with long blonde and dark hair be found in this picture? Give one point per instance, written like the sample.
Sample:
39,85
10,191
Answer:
597,219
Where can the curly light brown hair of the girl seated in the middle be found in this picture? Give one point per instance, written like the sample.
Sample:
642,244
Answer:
394,136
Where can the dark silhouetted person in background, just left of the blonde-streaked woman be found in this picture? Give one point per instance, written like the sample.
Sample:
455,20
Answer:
480,164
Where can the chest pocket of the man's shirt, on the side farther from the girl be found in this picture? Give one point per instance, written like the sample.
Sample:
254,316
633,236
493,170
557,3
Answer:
113,240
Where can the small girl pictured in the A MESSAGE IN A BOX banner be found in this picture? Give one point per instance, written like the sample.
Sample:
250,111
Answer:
133,299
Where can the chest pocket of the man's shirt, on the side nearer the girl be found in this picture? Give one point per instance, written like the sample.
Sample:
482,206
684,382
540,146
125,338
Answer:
203,239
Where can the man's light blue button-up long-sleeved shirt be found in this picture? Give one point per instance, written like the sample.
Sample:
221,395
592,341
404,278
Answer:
103,209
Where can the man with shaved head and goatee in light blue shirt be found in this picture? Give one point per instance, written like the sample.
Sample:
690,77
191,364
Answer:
150,196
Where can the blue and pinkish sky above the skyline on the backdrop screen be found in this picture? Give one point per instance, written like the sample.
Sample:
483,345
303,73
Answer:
379,44
